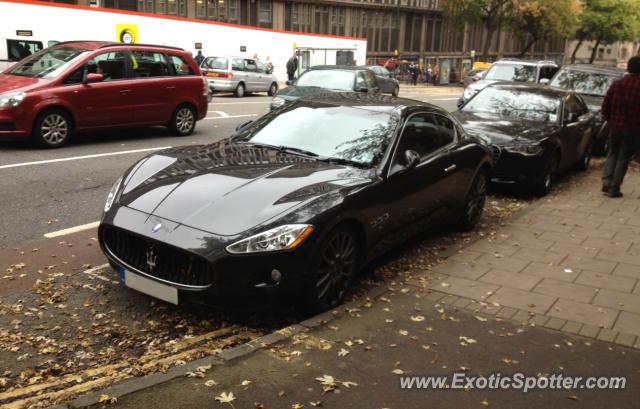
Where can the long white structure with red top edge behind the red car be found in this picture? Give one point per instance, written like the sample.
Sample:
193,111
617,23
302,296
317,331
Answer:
28,26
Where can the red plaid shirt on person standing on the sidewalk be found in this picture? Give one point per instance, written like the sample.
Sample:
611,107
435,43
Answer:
621,106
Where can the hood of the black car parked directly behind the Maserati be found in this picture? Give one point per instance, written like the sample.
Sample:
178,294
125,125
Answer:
500,131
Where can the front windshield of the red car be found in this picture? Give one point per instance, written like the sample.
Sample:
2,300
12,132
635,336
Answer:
49,63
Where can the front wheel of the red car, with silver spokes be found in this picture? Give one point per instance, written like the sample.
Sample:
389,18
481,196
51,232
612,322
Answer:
52,129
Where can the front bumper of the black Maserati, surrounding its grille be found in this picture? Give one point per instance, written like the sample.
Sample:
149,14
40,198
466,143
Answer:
195,262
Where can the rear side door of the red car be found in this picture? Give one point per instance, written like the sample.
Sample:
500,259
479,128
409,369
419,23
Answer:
152,87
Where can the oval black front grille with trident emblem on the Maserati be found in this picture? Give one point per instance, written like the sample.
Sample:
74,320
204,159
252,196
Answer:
158,259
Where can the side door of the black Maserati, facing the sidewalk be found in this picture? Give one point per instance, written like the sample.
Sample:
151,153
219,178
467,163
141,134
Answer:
420,194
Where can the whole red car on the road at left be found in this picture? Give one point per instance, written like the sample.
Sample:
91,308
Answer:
81,86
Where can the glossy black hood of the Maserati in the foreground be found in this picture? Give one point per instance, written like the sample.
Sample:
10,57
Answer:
227,188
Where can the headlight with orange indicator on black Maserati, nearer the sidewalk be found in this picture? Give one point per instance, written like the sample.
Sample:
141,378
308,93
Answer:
285,237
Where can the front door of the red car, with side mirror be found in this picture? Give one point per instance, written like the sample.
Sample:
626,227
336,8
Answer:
101,104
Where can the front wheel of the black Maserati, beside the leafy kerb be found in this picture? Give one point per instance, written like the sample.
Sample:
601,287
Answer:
333,269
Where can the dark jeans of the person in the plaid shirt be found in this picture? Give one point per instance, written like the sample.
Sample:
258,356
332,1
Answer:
622,146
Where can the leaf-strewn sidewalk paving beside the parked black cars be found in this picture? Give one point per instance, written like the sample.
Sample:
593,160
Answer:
548,294
